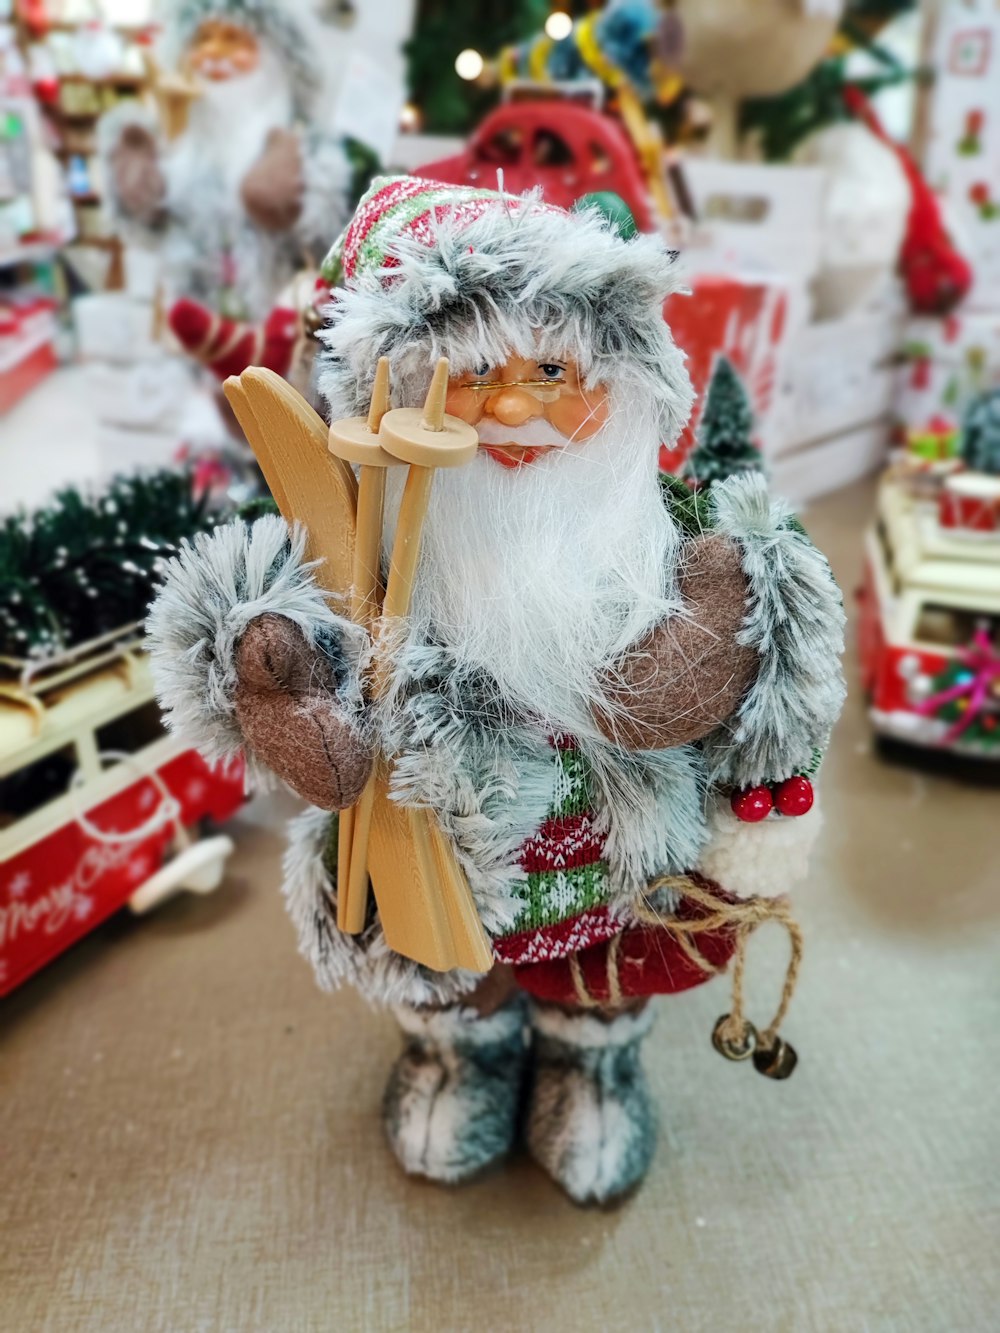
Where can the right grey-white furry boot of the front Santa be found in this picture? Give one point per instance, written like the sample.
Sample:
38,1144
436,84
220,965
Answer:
591,1123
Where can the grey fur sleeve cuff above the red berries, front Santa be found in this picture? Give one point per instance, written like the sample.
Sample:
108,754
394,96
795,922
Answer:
795,621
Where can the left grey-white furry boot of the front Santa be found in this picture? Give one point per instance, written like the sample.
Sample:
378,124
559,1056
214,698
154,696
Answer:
453,1099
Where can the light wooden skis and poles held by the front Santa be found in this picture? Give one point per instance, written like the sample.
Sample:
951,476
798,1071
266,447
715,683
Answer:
425,902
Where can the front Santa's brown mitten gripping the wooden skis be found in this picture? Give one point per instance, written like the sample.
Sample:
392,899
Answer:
291,718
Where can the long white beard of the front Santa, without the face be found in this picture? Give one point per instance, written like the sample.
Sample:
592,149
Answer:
543,577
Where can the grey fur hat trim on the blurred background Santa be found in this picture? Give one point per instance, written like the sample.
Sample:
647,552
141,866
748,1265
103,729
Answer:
270,21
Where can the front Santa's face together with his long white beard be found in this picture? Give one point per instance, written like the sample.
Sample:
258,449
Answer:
550,554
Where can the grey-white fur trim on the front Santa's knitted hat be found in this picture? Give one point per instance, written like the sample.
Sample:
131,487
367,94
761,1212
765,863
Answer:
517,281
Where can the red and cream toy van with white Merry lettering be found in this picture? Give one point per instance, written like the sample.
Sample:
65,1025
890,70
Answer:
99,808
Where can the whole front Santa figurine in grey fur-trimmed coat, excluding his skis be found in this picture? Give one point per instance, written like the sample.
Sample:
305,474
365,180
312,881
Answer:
601,699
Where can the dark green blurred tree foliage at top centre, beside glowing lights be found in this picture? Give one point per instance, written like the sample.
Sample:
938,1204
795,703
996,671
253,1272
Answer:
446,103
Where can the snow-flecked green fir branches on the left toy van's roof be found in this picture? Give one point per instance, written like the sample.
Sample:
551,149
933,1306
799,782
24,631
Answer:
86,566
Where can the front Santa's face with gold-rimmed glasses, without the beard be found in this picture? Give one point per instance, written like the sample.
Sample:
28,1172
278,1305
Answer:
527,409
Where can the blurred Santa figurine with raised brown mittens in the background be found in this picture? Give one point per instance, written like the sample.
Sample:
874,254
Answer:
250,193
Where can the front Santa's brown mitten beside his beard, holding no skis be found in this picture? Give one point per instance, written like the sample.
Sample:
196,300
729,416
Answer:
689,675
